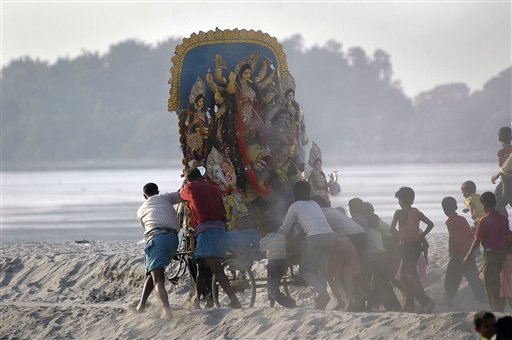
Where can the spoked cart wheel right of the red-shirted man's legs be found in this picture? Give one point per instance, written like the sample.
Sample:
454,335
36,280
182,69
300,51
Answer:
241,279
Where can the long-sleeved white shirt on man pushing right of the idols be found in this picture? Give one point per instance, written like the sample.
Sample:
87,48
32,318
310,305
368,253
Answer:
310,217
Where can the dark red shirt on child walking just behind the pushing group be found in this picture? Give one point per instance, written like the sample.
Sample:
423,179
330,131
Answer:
460,235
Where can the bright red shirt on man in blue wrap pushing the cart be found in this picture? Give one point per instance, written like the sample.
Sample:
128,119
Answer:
204,202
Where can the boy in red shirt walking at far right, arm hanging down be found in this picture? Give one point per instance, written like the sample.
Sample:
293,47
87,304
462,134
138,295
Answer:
494,234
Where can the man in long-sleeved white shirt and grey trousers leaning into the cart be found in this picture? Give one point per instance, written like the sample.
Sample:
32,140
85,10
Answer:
319,241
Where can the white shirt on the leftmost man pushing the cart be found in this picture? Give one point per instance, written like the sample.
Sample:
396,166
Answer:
157,214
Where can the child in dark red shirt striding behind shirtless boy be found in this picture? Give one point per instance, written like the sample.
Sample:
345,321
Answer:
459,243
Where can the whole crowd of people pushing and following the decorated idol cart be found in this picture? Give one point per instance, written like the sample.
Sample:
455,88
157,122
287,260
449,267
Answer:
361,258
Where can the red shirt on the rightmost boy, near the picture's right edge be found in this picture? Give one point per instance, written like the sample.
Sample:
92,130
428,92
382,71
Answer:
493,231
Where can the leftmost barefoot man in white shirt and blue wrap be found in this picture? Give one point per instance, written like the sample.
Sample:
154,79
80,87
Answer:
159,220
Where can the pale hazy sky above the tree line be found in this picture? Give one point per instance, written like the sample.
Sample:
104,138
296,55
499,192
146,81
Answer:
430,43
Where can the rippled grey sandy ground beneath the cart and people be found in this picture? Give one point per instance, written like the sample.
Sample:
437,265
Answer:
84,291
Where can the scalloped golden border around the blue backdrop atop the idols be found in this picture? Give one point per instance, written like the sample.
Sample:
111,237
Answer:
215,37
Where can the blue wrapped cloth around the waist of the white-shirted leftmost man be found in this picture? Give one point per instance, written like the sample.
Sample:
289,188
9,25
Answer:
159,251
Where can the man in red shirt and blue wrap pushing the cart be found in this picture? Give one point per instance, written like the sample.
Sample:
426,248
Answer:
207,218
